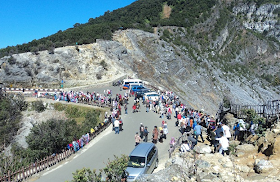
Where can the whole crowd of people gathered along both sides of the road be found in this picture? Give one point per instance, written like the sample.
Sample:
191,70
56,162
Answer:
190,122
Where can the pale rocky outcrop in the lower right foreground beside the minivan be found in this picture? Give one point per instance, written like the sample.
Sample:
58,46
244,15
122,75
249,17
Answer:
246,162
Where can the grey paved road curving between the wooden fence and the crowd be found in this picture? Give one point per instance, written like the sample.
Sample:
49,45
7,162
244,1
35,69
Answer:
106,145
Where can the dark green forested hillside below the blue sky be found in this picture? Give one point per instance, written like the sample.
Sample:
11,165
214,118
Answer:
142,14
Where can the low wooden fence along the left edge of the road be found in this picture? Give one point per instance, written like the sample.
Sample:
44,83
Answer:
45,163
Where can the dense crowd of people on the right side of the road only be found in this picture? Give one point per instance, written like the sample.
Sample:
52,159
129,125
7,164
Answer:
192,123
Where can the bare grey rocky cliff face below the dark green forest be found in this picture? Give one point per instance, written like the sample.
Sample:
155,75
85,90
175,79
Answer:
203,64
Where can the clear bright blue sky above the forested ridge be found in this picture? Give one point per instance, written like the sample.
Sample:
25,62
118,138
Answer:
25,20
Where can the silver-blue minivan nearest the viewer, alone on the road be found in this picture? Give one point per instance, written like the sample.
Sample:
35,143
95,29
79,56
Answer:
142,160
